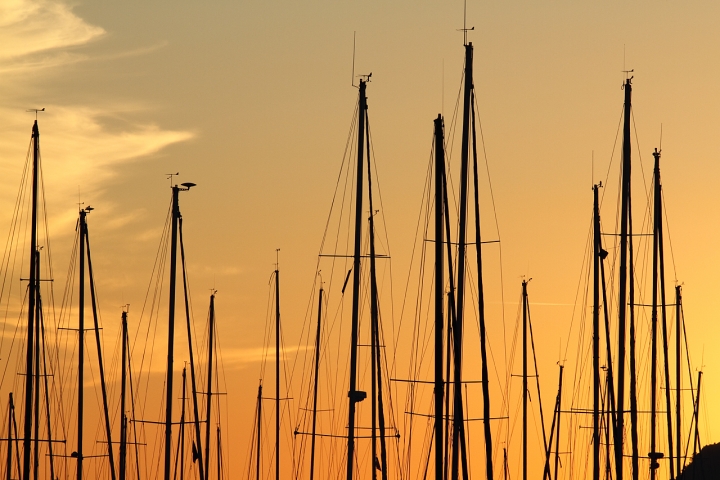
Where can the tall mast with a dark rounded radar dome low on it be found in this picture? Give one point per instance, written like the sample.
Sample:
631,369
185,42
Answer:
354,395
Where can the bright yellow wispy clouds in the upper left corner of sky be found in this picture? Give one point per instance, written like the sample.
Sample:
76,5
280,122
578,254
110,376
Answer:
79,148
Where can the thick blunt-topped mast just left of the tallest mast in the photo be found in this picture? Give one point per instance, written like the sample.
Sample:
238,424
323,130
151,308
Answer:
439,296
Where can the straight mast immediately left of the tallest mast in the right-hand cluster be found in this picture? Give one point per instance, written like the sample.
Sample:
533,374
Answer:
596,334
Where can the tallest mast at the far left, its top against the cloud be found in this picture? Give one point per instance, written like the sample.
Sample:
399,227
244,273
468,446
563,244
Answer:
32,292
